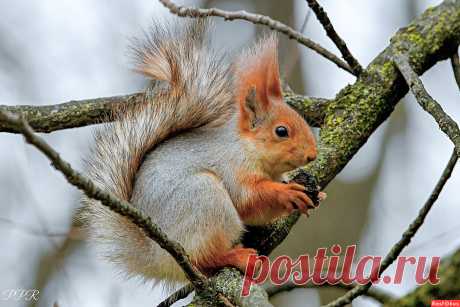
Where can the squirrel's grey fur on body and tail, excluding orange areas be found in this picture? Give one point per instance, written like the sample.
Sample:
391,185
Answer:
195,92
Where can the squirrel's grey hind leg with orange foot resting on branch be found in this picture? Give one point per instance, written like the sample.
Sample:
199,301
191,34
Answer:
210,235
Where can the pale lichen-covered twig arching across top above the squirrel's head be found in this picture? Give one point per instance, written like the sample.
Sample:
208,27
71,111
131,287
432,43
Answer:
278,26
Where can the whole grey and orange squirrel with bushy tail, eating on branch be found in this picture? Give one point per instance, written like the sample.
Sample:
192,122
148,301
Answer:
203,155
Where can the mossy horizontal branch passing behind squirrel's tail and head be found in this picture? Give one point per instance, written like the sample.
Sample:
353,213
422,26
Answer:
86,112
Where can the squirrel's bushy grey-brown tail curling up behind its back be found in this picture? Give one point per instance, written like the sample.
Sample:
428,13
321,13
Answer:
191,87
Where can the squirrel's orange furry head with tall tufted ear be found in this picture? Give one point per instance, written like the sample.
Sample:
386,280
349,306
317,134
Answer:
263,111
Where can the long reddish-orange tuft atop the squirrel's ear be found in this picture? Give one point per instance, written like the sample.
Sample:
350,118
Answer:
258,68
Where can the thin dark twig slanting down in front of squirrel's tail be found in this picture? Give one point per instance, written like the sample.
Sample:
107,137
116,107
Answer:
108,199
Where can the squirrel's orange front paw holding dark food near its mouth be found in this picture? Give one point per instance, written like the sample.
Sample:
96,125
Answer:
292,197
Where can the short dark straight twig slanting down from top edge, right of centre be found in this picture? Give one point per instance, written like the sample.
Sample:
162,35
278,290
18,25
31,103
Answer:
339,42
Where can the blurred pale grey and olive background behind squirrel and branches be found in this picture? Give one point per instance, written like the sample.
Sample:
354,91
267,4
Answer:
56,51
